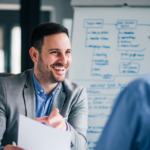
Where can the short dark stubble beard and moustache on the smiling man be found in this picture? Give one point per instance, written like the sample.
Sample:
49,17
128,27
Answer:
45,75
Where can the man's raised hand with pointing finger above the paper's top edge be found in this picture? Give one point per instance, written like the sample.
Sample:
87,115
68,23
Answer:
54,119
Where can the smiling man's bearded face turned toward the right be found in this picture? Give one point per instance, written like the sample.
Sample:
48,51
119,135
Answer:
55,57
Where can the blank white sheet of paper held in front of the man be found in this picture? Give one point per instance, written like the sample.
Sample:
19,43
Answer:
33,135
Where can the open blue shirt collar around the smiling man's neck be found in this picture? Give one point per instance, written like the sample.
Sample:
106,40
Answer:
39,89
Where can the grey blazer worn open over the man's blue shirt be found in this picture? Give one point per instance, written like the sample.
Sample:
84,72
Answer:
17,96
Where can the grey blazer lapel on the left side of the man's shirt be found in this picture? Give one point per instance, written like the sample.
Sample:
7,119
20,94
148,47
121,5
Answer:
29,96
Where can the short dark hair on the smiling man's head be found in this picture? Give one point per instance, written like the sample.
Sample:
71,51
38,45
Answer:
44,29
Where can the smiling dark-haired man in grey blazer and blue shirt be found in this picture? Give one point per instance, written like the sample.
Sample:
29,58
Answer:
43,93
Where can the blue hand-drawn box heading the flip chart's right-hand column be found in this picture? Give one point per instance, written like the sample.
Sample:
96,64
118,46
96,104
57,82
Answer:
126,24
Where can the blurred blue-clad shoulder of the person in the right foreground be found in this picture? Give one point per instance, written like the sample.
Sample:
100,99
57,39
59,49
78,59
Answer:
128,127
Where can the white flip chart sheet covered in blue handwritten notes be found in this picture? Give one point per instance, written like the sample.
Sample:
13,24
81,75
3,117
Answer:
110,48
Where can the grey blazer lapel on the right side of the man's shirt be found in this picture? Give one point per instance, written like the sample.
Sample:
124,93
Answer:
58,99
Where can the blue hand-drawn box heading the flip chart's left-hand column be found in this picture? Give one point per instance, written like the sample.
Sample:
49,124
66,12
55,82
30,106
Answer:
93,23
